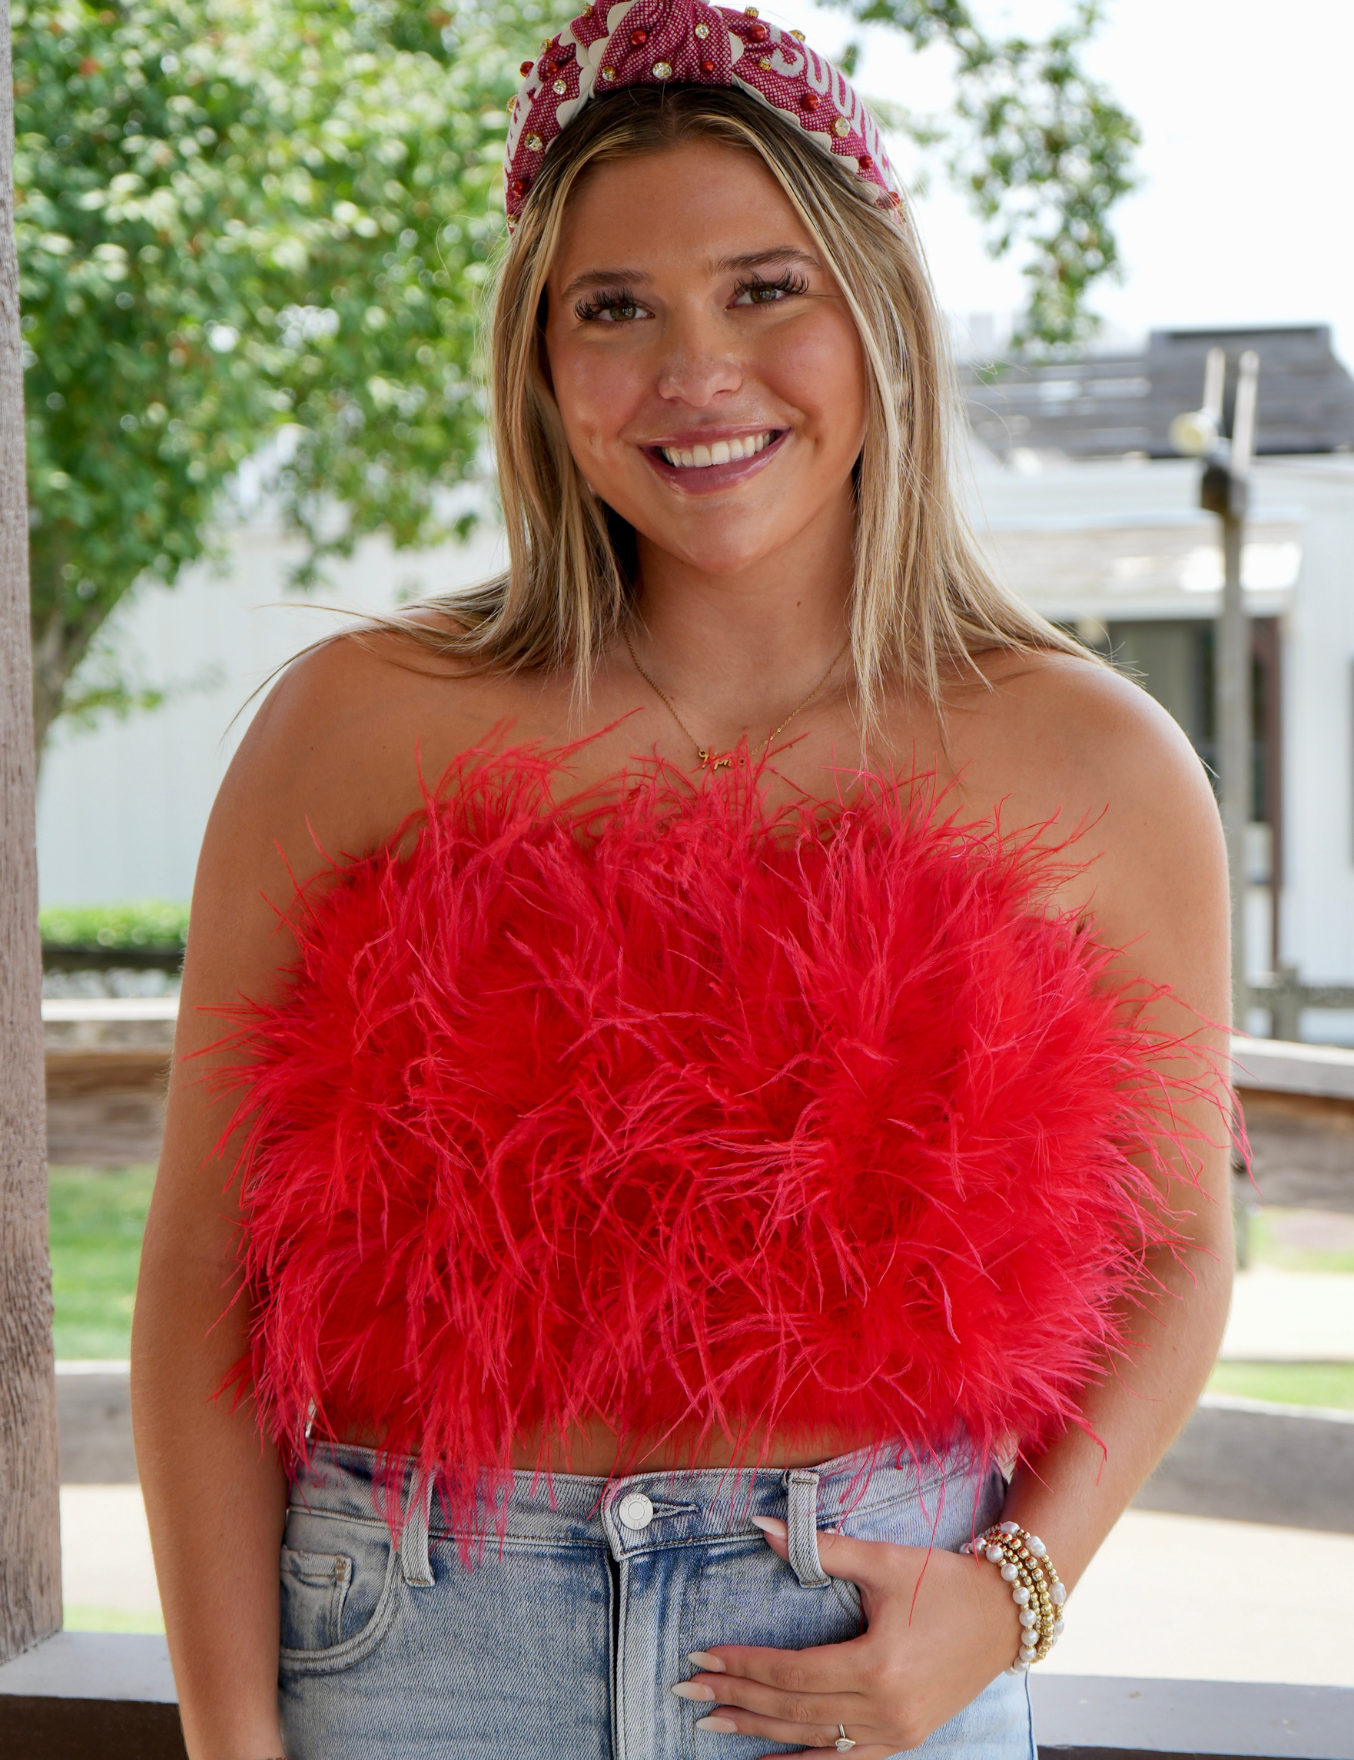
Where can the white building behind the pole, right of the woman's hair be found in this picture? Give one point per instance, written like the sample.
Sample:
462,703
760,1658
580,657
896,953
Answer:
1122,552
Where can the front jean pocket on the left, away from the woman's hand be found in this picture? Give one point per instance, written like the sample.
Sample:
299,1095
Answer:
339,1585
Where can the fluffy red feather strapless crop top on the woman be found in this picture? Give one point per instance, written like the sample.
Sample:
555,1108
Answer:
696,1118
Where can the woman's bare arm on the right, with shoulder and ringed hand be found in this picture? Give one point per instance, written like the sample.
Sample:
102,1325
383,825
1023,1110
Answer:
941,1627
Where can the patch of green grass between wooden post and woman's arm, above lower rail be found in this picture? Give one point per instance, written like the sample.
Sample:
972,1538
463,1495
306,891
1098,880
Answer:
96,1221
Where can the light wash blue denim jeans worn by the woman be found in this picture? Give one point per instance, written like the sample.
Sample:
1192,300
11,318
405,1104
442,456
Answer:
563,1643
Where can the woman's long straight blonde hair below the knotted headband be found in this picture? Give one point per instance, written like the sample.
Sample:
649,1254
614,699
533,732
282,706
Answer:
922,592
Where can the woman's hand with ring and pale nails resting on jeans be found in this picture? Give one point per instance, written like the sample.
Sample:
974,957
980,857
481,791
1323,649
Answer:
939,1629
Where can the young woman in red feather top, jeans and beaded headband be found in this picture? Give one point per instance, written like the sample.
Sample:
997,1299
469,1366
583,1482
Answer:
723,1110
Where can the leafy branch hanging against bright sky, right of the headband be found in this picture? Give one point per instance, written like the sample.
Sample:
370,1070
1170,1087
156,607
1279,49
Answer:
1041,149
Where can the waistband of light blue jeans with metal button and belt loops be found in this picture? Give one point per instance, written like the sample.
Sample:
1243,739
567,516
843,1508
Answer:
638,1513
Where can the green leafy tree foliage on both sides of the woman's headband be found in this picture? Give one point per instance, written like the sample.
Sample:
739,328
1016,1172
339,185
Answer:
251,219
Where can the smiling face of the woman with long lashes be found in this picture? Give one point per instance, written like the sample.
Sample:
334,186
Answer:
705,363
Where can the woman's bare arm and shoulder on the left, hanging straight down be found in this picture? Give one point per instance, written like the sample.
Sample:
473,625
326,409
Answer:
330,758
